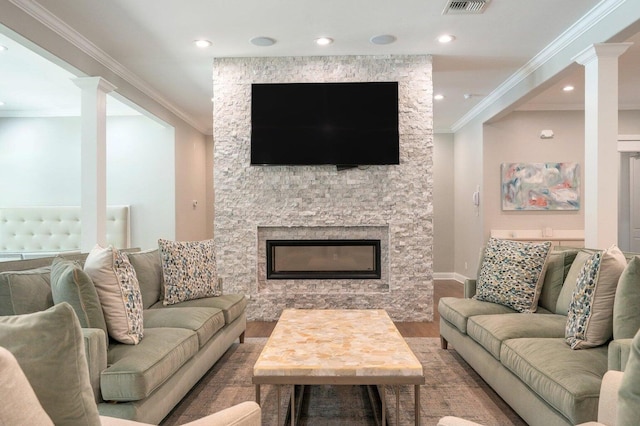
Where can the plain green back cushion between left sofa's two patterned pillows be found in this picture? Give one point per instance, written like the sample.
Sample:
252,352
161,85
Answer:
149,272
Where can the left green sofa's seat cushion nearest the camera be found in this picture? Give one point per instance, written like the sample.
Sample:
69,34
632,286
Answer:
134,371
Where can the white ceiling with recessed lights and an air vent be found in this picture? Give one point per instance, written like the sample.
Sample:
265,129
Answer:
152,39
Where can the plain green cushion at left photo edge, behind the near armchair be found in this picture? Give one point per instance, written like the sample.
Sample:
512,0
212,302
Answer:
24,292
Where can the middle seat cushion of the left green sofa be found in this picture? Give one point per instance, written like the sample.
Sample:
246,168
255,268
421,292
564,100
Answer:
204,321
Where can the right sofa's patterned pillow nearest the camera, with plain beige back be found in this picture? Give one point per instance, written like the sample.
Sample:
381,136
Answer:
590,316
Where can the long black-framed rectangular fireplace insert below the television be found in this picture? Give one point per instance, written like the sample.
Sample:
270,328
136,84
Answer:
323,259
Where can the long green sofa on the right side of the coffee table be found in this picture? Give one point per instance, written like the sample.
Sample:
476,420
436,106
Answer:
524,357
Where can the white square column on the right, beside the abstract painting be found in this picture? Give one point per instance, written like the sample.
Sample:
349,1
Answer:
602,161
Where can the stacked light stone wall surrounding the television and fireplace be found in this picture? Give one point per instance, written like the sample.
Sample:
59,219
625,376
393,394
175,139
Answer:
306,202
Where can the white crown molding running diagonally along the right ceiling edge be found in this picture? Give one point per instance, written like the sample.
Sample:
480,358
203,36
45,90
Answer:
547,54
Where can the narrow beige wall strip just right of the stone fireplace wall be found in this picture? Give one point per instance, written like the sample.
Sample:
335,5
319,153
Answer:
443,205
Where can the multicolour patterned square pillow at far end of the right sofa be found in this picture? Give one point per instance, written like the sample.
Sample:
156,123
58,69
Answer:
512,273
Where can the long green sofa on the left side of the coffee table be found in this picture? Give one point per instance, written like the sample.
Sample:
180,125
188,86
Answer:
142,382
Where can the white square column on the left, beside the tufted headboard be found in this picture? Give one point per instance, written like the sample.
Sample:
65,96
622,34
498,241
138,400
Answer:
93,159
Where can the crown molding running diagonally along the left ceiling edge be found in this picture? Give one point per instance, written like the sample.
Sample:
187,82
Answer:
49,20
